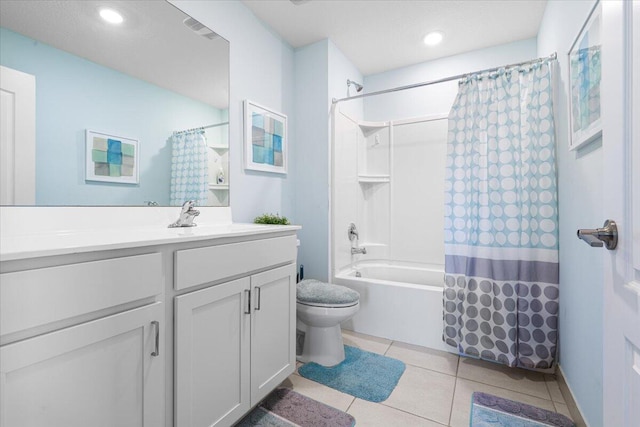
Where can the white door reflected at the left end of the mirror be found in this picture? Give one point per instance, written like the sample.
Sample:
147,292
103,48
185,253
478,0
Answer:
17,137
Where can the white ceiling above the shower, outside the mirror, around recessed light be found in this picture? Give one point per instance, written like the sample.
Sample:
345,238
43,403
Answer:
381,35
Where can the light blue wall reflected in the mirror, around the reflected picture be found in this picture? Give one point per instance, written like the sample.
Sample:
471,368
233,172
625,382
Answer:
72,95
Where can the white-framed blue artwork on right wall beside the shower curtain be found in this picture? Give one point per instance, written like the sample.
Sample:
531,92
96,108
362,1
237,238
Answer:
584,82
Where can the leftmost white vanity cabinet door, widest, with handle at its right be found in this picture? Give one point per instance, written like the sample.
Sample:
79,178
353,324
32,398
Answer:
99,373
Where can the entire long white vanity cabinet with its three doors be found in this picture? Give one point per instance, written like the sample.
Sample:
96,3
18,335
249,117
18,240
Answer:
191,329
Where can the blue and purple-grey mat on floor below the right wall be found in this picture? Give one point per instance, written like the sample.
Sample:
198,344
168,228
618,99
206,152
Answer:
488,410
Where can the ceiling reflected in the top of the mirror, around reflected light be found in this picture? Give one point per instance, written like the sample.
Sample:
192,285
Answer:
151,44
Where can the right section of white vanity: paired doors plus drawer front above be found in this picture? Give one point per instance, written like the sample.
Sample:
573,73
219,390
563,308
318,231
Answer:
234,341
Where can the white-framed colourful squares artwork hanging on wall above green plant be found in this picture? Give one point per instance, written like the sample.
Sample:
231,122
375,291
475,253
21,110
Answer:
265,139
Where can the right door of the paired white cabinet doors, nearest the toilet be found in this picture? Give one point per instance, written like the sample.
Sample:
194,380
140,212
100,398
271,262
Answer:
272,329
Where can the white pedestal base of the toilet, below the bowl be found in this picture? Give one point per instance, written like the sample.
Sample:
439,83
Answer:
323,346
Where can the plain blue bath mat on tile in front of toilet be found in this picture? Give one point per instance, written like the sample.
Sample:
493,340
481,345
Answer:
362,374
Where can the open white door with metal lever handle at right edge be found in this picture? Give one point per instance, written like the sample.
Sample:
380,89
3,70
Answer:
621,142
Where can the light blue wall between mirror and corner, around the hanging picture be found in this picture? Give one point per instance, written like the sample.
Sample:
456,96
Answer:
261,70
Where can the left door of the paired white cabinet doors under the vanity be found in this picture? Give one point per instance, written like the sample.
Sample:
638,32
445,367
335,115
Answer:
212,355
